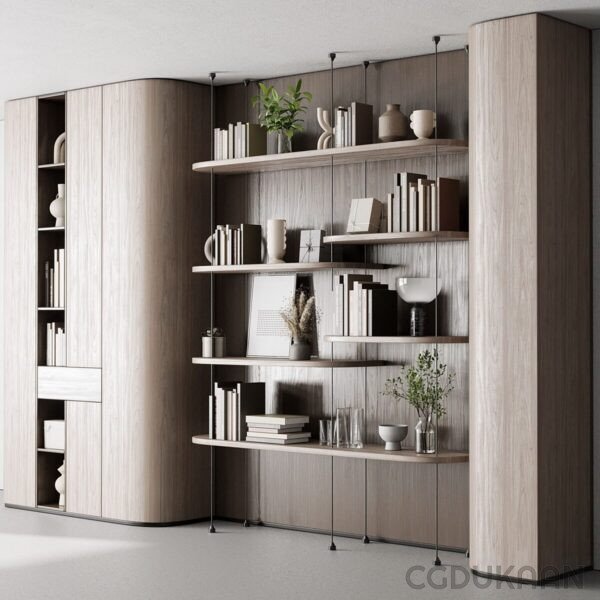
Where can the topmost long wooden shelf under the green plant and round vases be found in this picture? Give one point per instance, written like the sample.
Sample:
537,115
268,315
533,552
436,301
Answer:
323,158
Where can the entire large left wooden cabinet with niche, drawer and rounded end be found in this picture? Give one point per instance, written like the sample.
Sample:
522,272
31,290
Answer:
133,224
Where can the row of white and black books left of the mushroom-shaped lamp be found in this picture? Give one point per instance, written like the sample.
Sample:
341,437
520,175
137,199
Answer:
365,307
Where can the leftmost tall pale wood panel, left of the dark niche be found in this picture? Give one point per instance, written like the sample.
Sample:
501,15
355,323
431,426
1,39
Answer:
20,296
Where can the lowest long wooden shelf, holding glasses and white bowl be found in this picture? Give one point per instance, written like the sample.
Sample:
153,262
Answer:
374,452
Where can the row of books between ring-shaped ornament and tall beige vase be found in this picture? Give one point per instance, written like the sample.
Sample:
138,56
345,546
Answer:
237,244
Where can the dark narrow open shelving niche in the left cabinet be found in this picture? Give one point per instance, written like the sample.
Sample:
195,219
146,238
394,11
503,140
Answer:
51,123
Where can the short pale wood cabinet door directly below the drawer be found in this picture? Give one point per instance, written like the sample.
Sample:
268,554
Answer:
83,457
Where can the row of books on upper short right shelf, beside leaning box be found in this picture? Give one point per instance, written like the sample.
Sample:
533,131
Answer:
421,204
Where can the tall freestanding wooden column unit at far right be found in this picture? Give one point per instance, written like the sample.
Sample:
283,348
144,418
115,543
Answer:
530,267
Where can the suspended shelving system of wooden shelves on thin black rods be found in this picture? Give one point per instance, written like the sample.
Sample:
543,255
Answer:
332,157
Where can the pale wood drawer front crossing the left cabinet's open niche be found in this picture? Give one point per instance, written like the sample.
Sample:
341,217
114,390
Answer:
70,383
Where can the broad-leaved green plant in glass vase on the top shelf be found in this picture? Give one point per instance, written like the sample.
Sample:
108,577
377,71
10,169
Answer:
279,113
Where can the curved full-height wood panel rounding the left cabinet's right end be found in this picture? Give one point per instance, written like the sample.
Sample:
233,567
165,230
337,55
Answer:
155,221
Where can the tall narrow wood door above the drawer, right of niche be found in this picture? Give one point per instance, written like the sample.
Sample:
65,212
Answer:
84,227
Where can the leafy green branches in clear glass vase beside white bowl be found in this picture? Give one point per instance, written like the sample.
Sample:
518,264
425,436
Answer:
424,385
